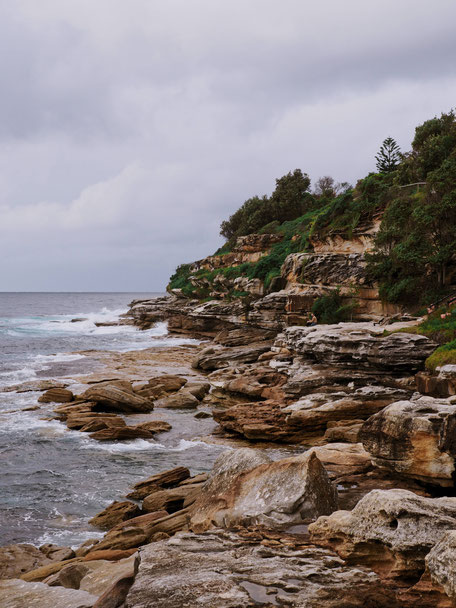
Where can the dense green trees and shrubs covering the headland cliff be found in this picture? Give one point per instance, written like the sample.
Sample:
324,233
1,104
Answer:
414,193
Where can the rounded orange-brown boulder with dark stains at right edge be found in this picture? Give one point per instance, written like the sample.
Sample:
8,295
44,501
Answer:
414,438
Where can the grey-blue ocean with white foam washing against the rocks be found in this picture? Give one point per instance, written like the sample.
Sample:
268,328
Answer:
53,480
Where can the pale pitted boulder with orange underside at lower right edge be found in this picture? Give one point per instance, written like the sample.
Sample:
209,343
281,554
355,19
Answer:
390,531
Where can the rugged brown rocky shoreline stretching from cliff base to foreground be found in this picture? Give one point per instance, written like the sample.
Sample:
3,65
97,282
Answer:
363,514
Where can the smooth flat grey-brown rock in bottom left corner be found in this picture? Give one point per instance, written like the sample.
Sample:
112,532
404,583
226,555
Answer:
19,594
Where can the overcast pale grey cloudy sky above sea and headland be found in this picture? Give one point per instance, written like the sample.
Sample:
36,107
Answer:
130,129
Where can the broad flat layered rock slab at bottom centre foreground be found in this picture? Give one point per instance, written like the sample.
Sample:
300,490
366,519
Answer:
226,571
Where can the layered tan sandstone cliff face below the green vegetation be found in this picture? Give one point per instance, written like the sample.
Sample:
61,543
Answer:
329,263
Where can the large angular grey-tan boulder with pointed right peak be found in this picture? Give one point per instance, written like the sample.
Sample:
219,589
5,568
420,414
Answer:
247,488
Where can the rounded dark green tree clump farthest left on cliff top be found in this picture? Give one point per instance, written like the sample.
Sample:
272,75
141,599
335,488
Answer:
290,200
